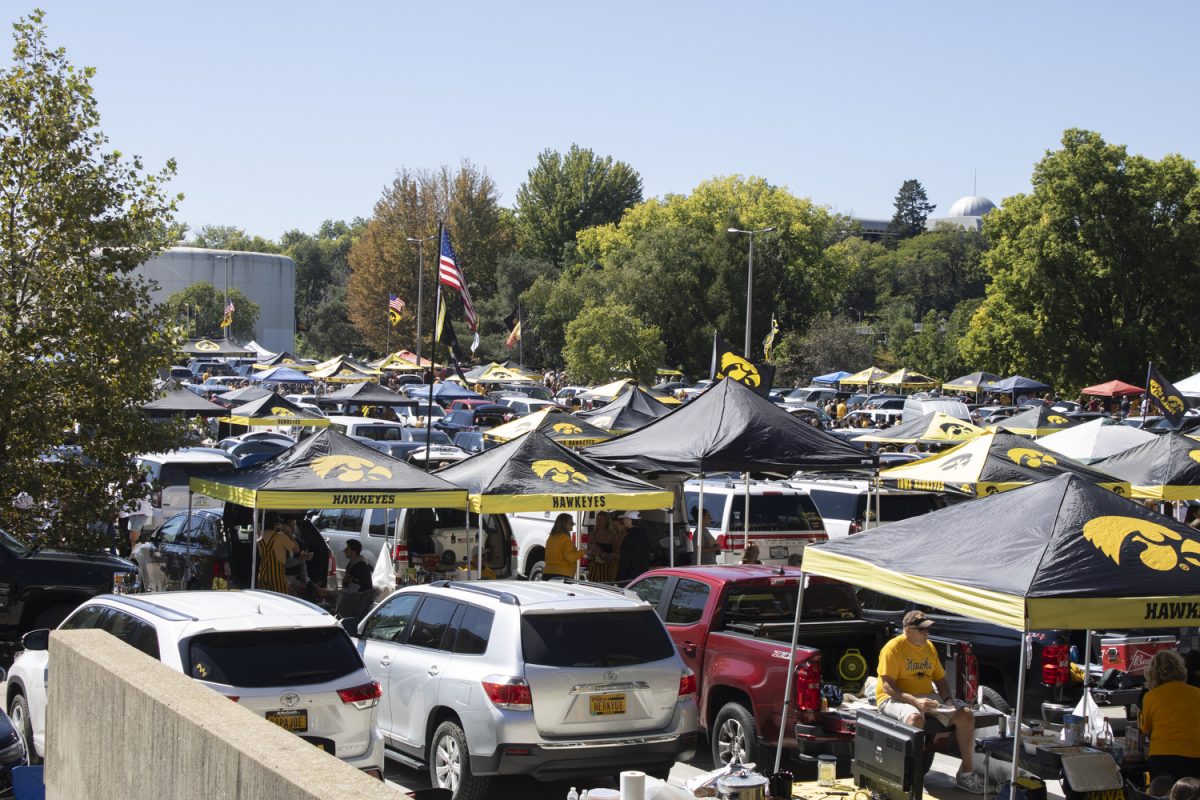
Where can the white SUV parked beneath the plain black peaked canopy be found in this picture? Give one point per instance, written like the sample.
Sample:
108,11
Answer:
783,519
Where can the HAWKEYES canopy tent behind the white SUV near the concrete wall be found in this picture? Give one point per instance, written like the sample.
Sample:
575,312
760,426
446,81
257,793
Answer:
328,471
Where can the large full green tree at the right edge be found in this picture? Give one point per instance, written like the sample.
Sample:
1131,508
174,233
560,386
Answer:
1093,273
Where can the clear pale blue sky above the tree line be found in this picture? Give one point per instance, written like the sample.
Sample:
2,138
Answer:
285,115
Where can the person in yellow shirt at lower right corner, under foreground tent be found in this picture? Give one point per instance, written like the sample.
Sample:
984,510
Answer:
1171,717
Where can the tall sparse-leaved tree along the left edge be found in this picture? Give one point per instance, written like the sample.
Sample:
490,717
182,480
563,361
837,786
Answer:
81,341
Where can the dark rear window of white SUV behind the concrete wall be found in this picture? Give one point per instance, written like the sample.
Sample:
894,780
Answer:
259,659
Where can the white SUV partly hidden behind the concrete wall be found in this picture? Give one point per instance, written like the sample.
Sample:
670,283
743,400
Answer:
284,659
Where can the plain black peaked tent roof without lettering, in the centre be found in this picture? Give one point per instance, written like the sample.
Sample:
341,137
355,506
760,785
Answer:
730,428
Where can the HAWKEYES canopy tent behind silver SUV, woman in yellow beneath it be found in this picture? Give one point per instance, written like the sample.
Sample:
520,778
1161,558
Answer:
533,473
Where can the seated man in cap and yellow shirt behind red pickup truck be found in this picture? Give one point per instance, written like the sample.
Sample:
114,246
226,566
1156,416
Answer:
913,684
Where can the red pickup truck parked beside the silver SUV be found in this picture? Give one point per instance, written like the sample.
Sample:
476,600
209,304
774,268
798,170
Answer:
734,628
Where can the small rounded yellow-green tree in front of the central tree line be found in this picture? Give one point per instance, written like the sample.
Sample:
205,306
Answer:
607,342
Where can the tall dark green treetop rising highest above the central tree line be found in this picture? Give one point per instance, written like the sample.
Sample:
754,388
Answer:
566,194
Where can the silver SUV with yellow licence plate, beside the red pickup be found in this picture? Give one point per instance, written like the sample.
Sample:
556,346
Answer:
553,681
